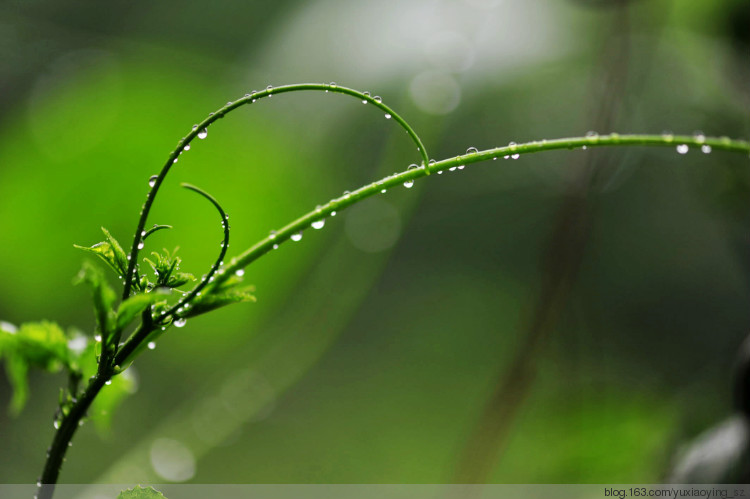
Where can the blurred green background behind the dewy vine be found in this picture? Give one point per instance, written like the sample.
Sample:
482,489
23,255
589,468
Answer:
572,316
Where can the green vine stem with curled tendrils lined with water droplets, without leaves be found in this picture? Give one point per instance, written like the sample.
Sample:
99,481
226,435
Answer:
113,363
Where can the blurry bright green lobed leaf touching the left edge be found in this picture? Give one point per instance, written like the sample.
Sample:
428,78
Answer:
38,344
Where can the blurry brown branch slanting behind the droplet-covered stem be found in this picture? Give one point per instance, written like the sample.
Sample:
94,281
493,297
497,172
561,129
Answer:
560,264
